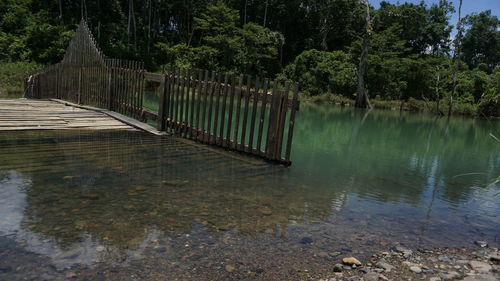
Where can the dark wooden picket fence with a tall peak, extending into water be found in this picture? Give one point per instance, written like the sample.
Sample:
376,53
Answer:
236,112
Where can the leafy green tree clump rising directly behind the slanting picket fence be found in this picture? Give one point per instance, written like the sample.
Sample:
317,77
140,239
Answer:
225,47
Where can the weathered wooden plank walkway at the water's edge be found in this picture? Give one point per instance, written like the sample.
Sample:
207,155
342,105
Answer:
25,114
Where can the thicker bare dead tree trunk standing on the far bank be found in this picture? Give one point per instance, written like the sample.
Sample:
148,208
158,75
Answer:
362,100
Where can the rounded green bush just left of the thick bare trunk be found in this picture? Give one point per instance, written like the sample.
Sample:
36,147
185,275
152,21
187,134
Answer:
323,72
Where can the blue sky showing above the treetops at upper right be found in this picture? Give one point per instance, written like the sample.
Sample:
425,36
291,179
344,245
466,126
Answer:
468,6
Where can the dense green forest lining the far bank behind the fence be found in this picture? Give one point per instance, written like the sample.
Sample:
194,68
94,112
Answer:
412,60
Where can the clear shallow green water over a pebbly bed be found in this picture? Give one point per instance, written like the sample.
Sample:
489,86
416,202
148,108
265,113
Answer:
111,204
